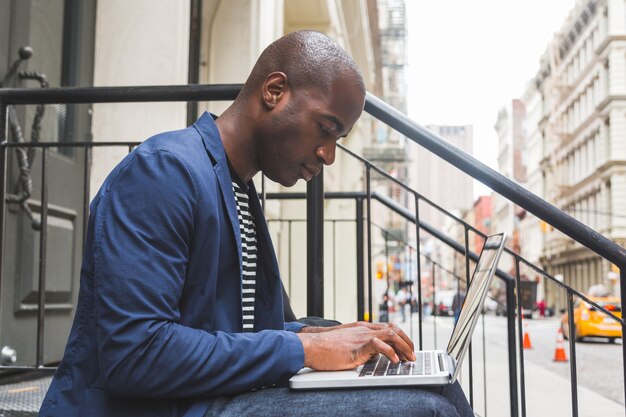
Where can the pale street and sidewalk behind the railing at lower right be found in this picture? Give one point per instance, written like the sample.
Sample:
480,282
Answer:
548,389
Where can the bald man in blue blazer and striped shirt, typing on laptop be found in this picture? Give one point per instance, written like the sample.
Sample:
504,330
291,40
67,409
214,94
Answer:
180,309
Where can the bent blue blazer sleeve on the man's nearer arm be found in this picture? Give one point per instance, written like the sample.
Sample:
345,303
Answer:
144,224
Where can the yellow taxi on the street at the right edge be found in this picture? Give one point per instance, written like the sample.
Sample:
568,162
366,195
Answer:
591,322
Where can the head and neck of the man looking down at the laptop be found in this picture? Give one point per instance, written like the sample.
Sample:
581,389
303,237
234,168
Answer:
303,94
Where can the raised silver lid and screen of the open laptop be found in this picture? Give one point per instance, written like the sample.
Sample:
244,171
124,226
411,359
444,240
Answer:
475,297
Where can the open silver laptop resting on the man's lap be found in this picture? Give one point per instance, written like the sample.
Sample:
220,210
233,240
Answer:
431,367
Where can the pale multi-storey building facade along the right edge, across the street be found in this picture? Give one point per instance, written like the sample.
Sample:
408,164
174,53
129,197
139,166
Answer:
582,131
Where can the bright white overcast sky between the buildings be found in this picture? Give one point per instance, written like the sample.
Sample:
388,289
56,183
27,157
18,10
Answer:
468,59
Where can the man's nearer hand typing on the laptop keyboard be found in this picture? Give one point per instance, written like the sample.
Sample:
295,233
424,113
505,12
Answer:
350,345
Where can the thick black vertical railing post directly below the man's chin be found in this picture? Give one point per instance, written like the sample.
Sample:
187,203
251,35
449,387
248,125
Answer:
315,245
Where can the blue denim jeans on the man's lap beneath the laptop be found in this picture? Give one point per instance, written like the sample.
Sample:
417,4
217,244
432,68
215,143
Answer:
445,401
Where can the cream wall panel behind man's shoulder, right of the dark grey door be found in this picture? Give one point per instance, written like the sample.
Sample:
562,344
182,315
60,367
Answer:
143,42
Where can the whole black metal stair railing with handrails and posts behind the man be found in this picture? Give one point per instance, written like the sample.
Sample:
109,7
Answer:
398,121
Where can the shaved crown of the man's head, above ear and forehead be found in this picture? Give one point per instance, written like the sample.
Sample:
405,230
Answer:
308,58
